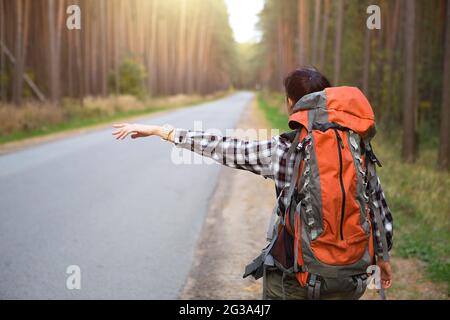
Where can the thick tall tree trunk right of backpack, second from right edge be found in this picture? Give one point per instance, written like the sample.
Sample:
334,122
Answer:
409,106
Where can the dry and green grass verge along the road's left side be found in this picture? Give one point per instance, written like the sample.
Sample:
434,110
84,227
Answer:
32,119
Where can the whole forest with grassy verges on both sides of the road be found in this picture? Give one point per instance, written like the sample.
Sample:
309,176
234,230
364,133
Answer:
132,57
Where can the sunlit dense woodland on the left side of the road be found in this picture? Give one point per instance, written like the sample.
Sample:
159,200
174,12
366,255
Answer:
180,46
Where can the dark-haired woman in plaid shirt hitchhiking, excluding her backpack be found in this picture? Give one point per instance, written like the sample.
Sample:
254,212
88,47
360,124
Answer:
274,159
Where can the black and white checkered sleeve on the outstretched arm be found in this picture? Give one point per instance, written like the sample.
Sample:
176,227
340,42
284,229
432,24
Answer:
254,156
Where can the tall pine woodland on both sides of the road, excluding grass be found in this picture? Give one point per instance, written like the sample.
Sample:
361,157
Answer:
165,47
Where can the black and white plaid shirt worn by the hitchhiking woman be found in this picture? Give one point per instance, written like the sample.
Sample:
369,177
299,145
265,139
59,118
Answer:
267,158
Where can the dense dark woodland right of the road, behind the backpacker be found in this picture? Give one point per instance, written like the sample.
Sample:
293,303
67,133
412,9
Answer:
404,67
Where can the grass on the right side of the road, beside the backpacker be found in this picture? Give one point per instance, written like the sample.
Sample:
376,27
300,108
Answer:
418,194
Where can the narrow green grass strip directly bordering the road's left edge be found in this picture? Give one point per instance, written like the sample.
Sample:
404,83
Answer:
95,118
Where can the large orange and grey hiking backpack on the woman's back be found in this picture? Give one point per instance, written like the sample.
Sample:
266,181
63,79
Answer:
325,236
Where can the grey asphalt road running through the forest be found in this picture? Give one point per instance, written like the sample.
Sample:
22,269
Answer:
120,210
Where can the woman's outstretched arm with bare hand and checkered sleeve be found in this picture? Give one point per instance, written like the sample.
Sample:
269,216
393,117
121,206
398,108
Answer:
254,156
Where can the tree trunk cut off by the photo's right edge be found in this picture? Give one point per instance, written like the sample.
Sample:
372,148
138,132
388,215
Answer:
444,143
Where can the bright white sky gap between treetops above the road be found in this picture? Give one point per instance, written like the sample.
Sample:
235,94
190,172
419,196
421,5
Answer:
243,16
